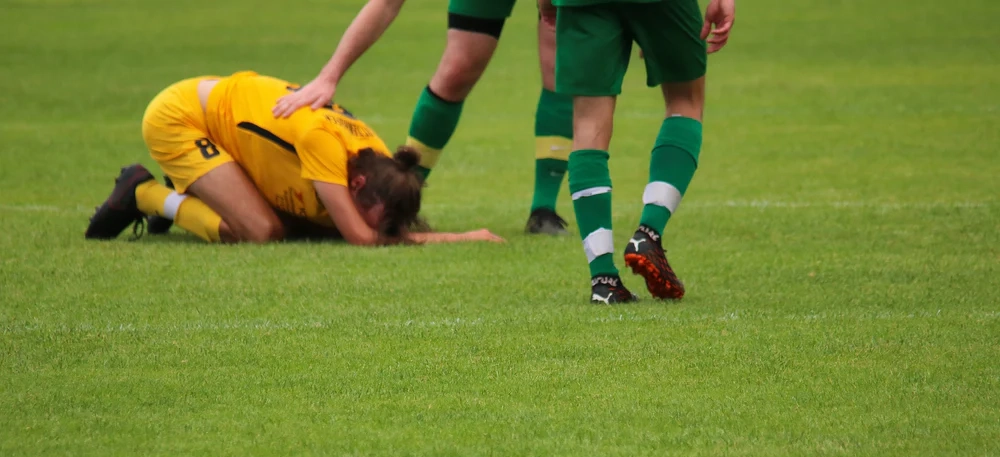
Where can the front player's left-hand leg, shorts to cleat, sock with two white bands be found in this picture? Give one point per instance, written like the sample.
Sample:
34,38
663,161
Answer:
590,65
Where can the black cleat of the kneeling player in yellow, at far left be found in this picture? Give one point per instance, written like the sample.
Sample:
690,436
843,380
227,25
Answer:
120,209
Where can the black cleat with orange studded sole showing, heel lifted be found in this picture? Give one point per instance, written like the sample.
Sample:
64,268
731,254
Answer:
645,256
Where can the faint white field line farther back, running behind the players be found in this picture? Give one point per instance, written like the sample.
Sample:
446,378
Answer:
754,204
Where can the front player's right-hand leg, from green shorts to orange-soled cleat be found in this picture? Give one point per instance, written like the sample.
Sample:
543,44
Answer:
675,58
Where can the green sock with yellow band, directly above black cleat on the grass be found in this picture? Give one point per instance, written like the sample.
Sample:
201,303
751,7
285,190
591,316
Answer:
553,143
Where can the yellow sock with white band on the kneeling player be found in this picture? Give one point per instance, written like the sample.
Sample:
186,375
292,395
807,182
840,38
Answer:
188,212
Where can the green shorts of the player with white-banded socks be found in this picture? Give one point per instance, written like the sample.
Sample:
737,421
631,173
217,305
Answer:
594,44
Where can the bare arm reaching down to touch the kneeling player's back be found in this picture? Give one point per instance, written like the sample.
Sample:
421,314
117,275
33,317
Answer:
366,28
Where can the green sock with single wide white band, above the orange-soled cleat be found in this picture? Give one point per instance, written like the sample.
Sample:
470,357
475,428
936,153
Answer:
671,167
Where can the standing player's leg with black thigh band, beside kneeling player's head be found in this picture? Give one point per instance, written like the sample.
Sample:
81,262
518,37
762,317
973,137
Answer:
474,27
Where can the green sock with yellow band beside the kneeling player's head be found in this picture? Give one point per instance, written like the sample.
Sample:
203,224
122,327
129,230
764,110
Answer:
434,121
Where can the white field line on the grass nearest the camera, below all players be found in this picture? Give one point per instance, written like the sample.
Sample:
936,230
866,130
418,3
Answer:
459,322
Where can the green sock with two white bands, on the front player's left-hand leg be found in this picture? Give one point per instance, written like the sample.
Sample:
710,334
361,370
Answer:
590,184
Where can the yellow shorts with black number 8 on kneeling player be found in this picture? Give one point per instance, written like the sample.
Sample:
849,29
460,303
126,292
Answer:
175,132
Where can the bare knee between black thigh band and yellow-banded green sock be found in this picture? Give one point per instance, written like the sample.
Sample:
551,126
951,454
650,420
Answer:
465,58
